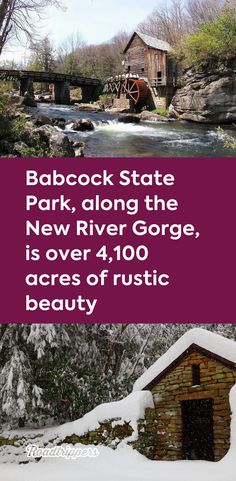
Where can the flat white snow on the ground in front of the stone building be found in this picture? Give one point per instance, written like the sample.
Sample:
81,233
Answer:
123,464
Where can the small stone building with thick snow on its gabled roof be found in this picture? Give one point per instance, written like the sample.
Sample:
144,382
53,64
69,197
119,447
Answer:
190,385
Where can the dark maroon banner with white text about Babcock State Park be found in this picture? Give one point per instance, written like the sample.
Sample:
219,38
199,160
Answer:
201,270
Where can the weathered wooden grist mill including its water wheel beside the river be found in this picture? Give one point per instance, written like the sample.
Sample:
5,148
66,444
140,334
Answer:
149,77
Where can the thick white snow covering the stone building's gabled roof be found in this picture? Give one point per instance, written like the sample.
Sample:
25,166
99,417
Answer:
215,344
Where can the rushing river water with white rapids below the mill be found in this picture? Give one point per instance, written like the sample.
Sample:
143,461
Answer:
111,138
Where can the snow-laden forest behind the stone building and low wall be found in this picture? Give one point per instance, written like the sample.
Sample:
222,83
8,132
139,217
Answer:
53,373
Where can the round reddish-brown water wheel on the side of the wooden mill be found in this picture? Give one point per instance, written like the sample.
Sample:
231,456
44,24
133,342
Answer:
130,92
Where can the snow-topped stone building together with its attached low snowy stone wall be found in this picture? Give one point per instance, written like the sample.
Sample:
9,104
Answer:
179,409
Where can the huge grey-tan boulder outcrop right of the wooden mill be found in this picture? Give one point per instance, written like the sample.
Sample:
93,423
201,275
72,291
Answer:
208,97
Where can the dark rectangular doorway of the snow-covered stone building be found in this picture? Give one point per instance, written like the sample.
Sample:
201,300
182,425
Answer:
197,429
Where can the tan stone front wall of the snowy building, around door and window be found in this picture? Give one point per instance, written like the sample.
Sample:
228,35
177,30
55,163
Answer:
216,382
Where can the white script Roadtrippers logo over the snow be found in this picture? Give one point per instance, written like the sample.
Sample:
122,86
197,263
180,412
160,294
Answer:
33,451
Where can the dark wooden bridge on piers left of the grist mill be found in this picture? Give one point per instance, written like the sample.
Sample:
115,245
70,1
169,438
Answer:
90,87
